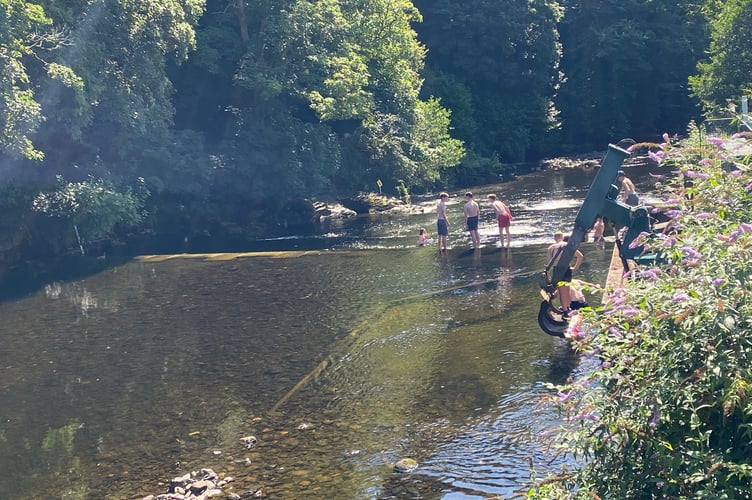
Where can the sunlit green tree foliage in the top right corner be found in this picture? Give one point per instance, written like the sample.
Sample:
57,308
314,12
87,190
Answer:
725,74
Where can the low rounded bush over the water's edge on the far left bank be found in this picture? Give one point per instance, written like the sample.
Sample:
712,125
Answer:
94,206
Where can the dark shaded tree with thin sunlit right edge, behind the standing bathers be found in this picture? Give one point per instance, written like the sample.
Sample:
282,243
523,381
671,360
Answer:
499,67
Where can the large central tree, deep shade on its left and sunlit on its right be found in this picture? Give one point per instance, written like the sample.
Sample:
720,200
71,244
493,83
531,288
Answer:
344,72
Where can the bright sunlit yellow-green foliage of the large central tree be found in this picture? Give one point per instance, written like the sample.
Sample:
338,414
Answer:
362,61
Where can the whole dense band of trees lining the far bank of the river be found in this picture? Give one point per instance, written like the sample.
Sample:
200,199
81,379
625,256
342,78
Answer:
227,117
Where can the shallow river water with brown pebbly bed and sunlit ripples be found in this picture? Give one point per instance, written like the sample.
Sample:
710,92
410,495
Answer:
341,353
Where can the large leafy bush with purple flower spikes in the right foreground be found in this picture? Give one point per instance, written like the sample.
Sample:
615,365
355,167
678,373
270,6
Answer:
665,410
